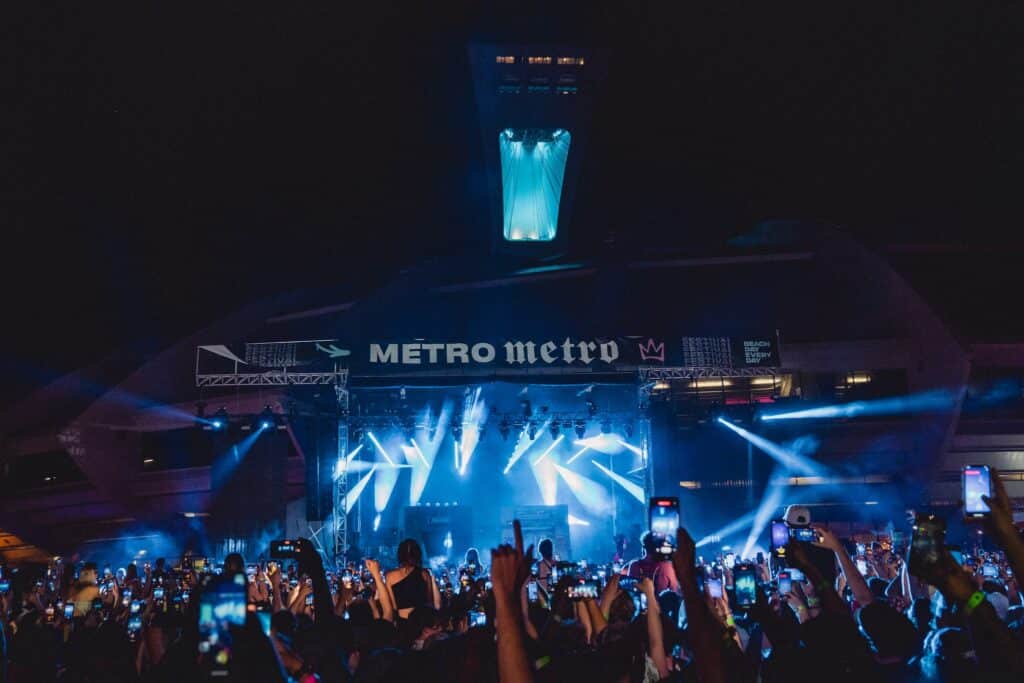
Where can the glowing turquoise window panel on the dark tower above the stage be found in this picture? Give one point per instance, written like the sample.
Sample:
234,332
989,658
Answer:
533,170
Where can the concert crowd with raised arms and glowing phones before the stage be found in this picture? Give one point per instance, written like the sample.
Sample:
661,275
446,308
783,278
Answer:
820,610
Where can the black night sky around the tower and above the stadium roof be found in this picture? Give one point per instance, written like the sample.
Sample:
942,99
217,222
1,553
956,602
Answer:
166,164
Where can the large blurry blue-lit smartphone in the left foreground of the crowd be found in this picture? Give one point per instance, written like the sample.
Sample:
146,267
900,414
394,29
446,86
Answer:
222,608
